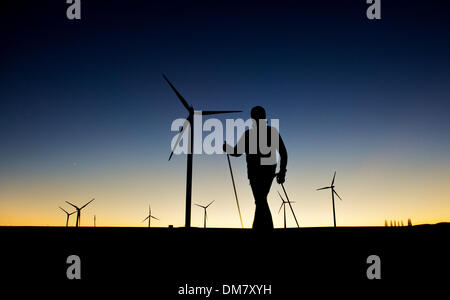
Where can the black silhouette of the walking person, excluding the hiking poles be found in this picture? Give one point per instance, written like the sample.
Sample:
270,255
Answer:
261,163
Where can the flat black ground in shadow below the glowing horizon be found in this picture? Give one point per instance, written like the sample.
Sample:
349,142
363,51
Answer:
160,260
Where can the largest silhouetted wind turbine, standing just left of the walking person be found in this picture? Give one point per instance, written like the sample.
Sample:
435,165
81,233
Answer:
190,122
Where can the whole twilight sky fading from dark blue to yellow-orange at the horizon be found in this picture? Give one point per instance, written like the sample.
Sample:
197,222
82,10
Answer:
85,112
